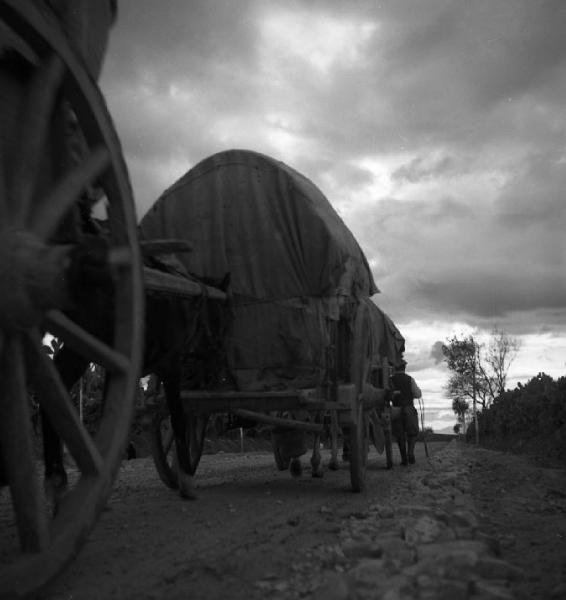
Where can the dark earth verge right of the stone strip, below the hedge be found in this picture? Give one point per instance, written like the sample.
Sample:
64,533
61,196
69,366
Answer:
521,500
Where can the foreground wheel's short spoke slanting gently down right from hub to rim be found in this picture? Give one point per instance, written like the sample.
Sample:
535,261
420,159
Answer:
85,343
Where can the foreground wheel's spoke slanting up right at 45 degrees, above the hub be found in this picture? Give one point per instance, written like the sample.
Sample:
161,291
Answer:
54,207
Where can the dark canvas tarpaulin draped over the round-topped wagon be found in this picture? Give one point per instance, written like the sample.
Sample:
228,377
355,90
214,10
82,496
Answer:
290,256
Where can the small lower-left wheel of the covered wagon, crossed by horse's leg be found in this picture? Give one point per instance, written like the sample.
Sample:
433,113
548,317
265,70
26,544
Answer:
163,448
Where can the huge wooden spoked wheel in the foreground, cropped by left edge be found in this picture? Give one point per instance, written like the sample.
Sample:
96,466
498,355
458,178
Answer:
33,270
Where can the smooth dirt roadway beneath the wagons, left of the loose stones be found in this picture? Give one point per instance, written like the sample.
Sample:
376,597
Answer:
251,527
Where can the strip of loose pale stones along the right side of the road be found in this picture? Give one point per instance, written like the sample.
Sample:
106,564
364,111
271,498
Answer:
425,542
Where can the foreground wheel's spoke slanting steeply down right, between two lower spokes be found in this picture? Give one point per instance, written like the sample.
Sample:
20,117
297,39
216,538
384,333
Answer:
56,402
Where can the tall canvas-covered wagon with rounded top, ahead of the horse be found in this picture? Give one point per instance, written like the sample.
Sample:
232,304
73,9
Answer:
304,336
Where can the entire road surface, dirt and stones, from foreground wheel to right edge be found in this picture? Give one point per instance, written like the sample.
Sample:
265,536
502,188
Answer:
468,523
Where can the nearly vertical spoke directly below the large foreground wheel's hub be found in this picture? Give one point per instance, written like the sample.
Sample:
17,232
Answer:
18,452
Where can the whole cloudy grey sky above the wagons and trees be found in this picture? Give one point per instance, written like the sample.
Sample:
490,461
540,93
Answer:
436,128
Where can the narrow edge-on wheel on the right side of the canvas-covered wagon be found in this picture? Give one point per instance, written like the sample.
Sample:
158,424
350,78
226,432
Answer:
359,428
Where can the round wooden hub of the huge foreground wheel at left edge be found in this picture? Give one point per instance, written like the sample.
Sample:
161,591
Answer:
32,279
